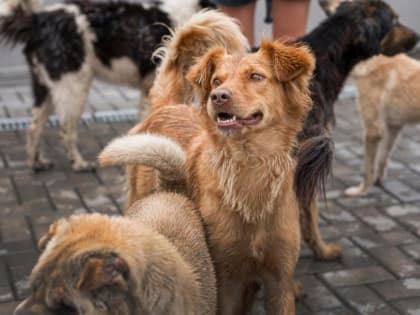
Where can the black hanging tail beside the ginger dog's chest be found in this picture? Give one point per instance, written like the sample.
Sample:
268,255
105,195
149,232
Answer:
314,163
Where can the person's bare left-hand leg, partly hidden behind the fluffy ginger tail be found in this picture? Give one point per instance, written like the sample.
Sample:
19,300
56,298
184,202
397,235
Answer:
245,15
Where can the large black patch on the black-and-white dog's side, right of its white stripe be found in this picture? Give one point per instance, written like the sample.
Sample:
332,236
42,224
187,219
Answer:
126,30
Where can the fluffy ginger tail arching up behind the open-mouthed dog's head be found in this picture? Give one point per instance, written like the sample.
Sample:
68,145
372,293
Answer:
203,31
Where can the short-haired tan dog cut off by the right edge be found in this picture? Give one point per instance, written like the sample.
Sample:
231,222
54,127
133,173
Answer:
389,98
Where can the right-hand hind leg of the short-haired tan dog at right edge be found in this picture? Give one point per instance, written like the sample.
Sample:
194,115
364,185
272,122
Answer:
385,148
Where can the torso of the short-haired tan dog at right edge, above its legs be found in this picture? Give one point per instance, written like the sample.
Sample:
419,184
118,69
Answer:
389,89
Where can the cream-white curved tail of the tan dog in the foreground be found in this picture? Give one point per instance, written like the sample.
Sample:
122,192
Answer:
158,152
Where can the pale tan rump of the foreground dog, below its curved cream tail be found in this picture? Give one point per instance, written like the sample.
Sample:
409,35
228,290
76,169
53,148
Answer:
175,217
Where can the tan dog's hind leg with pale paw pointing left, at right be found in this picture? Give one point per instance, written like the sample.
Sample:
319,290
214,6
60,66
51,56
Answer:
372,139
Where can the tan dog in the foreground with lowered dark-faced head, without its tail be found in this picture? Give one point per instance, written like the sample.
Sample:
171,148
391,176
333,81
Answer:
155,261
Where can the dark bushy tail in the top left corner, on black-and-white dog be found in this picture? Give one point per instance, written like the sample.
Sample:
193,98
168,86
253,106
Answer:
16,20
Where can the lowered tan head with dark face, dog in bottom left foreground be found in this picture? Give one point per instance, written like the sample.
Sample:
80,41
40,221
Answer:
80,271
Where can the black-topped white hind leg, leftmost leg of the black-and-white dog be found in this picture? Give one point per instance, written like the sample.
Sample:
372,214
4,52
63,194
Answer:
41,110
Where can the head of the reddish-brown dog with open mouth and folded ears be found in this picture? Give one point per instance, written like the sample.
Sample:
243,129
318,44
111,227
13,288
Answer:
246,93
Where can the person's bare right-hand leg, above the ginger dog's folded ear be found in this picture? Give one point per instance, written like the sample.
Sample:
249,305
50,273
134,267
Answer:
290,18
